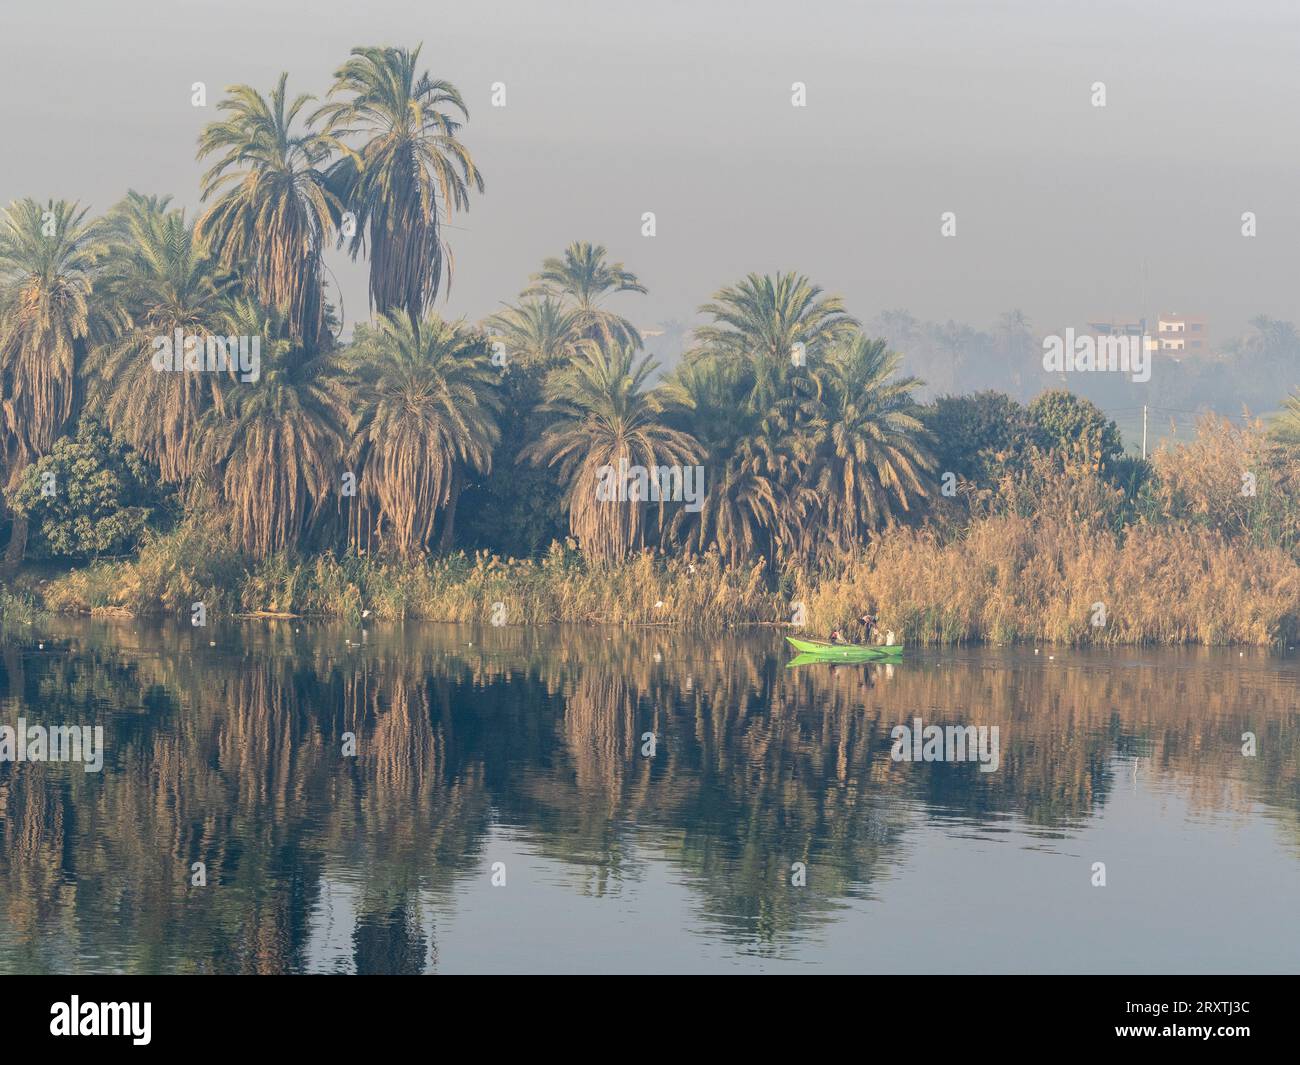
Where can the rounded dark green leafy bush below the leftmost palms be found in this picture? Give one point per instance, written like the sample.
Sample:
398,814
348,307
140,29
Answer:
90,496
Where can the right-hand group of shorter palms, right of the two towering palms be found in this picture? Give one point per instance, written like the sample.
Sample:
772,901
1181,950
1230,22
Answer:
807,435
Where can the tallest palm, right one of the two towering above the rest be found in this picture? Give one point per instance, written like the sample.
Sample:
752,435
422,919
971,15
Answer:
411,167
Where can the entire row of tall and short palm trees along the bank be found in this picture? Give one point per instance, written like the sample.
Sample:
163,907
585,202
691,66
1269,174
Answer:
805,432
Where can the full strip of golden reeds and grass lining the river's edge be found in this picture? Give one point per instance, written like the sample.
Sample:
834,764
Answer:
1006,579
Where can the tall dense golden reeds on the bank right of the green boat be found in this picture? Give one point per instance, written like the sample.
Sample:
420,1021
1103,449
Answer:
1019,579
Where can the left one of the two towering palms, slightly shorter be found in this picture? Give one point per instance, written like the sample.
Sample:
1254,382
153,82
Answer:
274,213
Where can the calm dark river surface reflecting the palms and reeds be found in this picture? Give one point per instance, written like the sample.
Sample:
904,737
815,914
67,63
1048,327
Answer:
525,747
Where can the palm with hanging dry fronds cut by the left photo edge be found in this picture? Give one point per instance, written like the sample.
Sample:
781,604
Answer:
50,259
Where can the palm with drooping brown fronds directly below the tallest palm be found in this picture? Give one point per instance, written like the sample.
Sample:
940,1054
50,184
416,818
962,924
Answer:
430,412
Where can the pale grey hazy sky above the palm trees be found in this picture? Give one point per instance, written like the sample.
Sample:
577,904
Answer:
616,109
